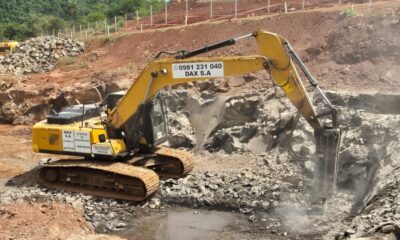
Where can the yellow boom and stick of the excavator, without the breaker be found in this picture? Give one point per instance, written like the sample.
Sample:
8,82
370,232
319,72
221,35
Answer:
274,58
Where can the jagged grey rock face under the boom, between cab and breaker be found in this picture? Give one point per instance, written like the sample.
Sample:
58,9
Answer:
246,122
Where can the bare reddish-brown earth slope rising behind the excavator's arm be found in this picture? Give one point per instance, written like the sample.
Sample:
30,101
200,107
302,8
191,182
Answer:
332,54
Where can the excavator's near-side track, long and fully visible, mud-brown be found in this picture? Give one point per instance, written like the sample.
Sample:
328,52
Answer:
113,180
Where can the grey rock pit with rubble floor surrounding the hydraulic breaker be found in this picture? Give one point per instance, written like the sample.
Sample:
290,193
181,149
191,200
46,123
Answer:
243,166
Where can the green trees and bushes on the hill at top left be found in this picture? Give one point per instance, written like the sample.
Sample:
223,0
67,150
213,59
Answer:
29,18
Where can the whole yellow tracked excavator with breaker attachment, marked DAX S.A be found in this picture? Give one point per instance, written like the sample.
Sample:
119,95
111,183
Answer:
121,154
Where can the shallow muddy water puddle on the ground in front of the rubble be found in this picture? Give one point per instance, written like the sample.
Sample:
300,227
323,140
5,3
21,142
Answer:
180,224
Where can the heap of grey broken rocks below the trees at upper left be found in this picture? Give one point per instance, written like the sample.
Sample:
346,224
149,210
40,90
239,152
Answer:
39,55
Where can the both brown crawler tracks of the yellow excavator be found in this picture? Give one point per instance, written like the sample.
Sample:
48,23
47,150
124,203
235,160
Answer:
135,179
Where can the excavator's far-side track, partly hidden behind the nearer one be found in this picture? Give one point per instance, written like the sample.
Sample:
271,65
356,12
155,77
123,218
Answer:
166,162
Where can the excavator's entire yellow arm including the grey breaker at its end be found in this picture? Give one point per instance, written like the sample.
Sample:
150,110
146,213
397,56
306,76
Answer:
276,56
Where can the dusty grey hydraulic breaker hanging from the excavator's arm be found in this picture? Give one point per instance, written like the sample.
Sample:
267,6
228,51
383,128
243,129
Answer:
327,154
